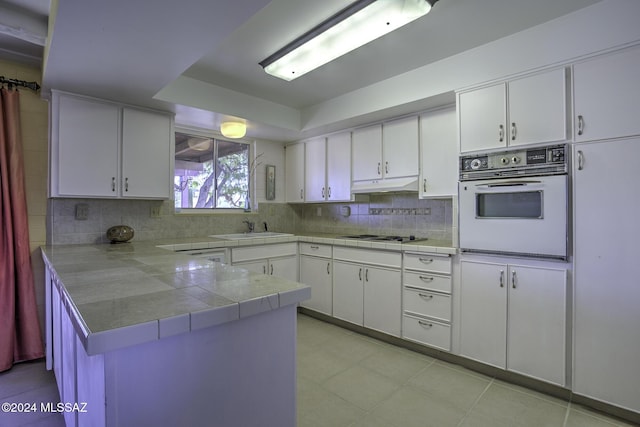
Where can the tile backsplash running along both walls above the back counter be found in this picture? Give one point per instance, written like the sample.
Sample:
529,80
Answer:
390,213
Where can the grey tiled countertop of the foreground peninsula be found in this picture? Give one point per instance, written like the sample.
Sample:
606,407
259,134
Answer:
126,294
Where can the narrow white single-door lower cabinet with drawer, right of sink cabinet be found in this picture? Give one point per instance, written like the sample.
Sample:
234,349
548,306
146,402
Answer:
316,270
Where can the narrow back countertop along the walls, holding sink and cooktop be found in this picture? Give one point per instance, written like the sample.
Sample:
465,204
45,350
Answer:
444,247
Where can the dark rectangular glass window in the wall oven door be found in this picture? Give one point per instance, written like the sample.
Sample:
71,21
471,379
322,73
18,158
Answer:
527,204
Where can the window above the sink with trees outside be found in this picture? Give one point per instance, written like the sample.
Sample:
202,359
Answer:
210,173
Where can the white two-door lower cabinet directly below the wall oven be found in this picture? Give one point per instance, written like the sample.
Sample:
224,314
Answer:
514,317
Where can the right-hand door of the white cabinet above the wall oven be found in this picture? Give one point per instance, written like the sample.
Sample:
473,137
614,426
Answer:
537,108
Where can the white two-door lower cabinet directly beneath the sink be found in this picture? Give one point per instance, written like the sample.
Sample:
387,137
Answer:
280,259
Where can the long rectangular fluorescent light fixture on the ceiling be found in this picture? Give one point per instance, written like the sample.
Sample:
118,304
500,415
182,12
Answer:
352,27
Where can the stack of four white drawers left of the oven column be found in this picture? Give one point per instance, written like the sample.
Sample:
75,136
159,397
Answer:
426,299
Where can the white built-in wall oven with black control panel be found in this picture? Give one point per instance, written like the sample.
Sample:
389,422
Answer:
515,202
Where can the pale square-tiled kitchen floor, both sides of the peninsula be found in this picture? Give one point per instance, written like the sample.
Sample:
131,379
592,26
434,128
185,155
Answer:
349,380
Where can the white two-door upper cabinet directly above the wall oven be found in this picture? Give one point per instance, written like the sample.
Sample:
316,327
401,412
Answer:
528,110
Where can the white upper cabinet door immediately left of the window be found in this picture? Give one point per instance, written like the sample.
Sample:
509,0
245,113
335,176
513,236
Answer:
146,154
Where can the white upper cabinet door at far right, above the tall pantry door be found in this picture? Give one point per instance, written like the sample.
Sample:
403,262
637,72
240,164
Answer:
606,94
